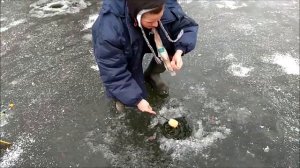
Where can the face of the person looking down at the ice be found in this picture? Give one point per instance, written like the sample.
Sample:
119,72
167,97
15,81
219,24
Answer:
150,20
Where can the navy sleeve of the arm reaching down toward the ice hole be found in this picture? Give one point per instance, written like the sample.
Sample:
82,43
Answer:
112,63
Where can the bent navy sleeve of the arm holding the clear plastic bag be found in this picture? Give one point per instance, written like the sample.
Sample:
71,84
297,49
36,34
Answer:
188,40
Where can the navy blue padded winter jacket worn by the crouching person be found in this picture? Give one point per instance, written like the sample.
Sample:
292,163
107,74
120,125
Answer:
119,47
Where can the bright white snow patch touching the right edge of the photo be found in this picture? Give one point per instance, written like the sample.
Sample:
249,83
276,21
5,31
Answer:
289,64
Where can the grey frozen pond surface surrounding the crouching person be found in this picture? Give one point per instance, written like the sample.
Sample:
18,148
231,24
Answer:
239,90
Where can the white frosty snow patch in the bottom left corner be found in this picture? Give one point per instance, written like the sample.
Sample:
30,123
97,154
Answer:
13,155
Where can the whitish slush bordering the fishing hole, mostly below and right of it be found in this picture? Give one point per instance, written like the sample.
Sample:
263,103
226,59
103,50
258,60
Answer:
194,144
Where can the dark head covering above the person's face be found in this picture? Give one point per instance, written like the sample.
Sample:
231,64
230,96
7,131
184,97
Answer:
135,6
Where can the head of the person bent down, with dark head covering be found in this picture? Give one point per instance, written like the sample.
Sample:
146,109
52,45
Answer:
149,19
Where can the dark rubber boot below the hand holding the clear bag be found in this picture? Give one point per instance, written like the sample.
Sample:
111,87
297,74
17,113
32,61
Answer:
152,76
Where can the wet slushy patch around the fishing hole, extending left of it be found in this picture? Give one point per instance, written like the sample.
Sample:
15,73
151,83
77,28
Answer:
121,145
